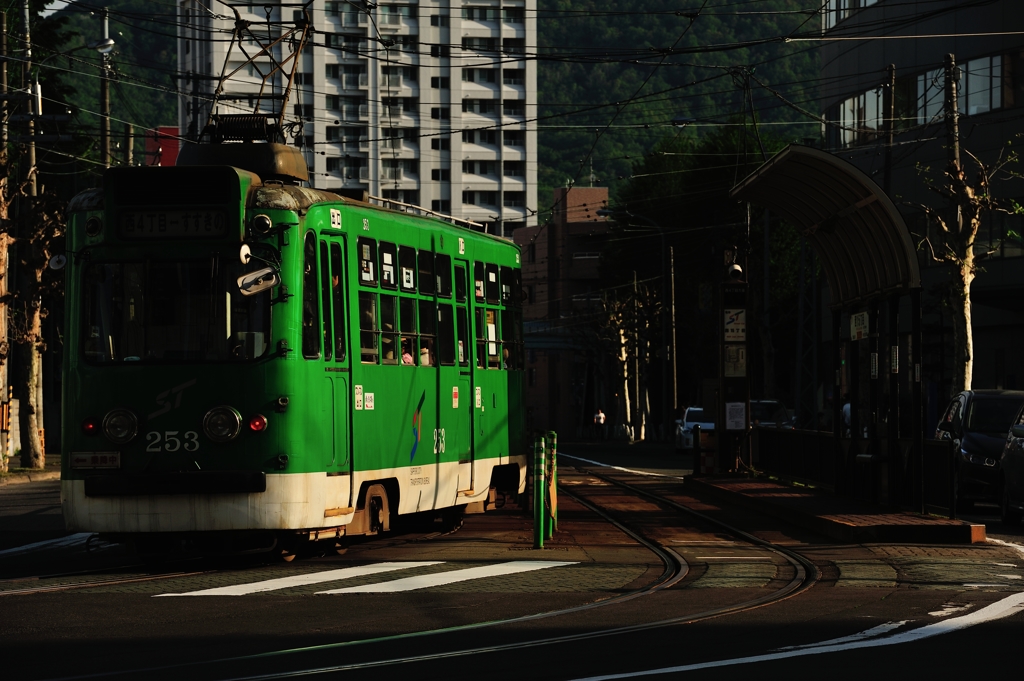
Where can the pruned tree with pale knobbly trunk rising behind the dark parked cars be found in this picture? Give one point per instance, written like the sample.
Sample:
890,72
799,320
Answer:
970,198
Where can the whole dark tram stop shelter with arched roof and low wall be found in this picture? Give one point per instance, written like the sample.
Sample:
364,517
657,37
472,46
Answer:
871,265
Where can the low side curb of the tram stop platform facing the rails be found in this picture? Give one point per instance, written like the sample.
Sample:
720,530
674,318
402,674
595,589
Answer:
948,532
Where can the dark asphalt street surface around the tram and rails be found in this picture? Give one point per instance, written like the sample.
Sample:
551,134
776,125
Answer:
69,612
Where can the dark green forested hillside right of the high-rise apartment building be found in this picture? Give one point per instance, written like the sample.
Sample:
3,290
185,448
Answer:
607,82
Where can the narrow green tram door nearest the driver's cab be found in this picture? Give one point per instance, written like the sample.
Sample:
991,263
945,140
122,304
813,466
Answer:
337,367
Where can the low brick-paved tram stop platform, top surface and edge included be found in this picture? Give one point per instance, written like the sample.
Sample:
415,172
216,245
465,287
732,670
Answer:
843,520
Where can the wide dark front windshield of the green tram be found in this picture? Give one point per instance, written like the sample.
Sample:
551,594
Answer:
173,312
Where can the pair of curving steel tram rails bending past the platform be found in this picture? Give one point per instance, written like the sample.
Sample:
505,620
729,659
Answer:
804,577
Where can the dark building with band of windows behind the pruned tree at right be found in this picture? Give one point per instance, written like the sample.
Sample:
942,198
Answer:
916,36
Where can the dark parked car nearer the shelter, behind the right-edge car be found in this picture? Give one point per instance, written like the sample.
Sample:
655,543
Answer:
977,422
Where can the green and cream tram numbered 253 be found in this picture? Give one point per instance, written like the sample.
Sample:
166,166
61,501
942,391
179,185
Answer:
248,356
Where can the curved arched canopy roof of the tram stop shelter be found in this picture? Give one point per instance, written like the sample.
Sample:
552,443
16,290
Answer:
859,235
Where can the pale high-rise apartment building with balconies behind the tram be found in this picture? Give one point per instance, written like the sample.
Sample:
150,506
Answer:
421,103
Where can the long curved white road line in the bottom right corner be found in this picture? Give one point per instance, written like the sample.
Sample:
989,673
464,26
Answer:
1003,609
